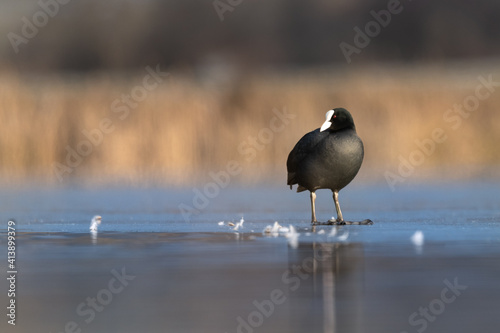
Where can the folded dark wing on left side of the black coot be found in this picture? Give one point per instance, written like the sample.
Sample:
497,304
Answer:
303,148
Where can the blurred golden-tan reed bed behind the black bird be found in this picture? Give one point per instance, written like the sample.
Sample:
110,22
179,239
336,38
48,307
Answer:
190,126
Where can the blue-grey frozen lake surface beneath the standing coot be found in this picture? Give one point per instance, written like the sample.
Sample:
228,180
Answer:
153,269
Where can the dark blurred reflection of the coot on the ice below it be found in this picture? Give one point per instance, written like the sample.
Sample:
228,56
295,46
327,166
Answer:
325,276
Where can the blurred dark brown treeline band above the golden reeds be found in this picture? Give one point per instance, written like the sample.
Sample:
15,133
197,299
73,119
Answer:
255,34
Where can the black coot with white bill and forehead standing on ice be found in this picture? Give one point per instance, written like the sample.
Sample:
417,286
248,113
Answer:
327,158
